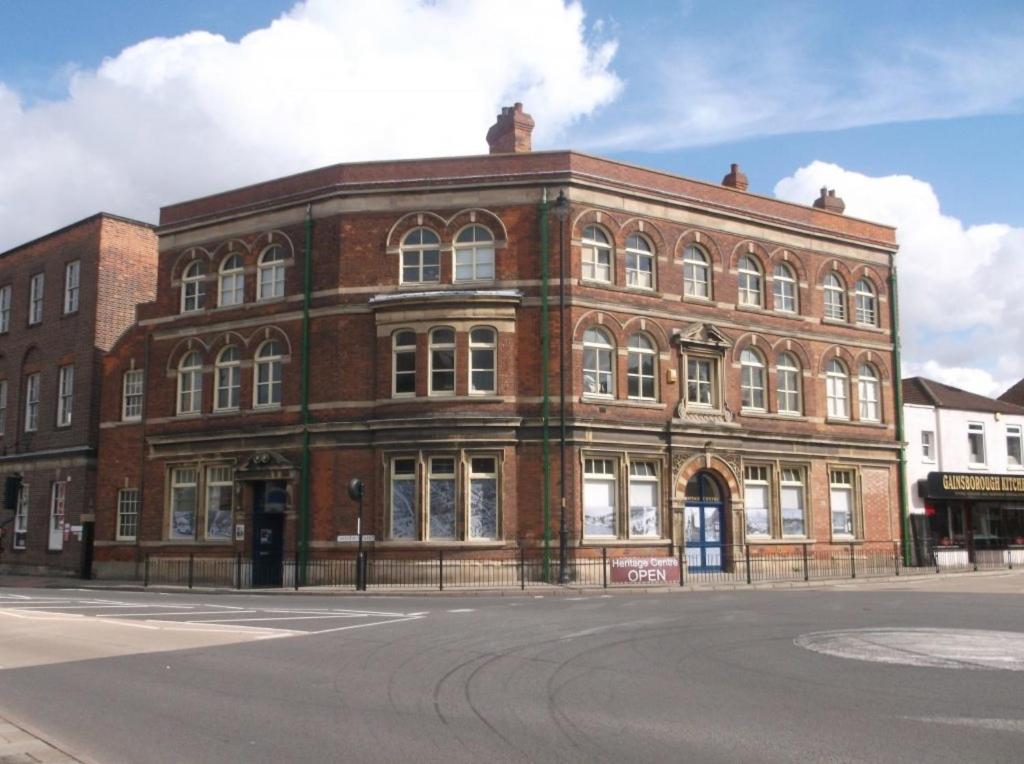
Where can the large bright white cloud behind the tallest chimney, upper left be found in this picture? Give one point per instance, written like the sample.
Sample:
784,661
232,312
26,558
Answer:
329,81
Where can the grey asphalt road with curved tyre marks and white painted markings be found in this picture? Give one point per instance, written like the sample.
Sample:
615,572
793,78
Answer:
932,671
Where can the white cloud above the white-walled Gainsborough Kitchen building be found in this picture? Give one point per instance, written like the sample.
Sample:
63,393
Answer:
962,316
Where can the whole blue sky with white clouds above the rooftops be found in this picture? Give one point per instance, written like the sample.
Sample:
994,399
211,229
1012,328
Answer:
915,111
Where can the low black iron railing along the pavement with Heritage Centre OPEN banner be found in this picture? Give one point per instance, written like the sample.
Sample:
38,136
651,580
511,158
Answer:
527,569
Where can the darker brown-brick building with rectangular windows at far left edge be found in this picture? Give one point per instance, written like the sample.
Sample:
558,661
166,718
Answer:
65,300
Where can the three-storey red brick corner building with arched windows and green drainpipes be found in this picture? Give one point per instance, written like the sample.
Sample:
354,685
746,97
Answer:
727,361
